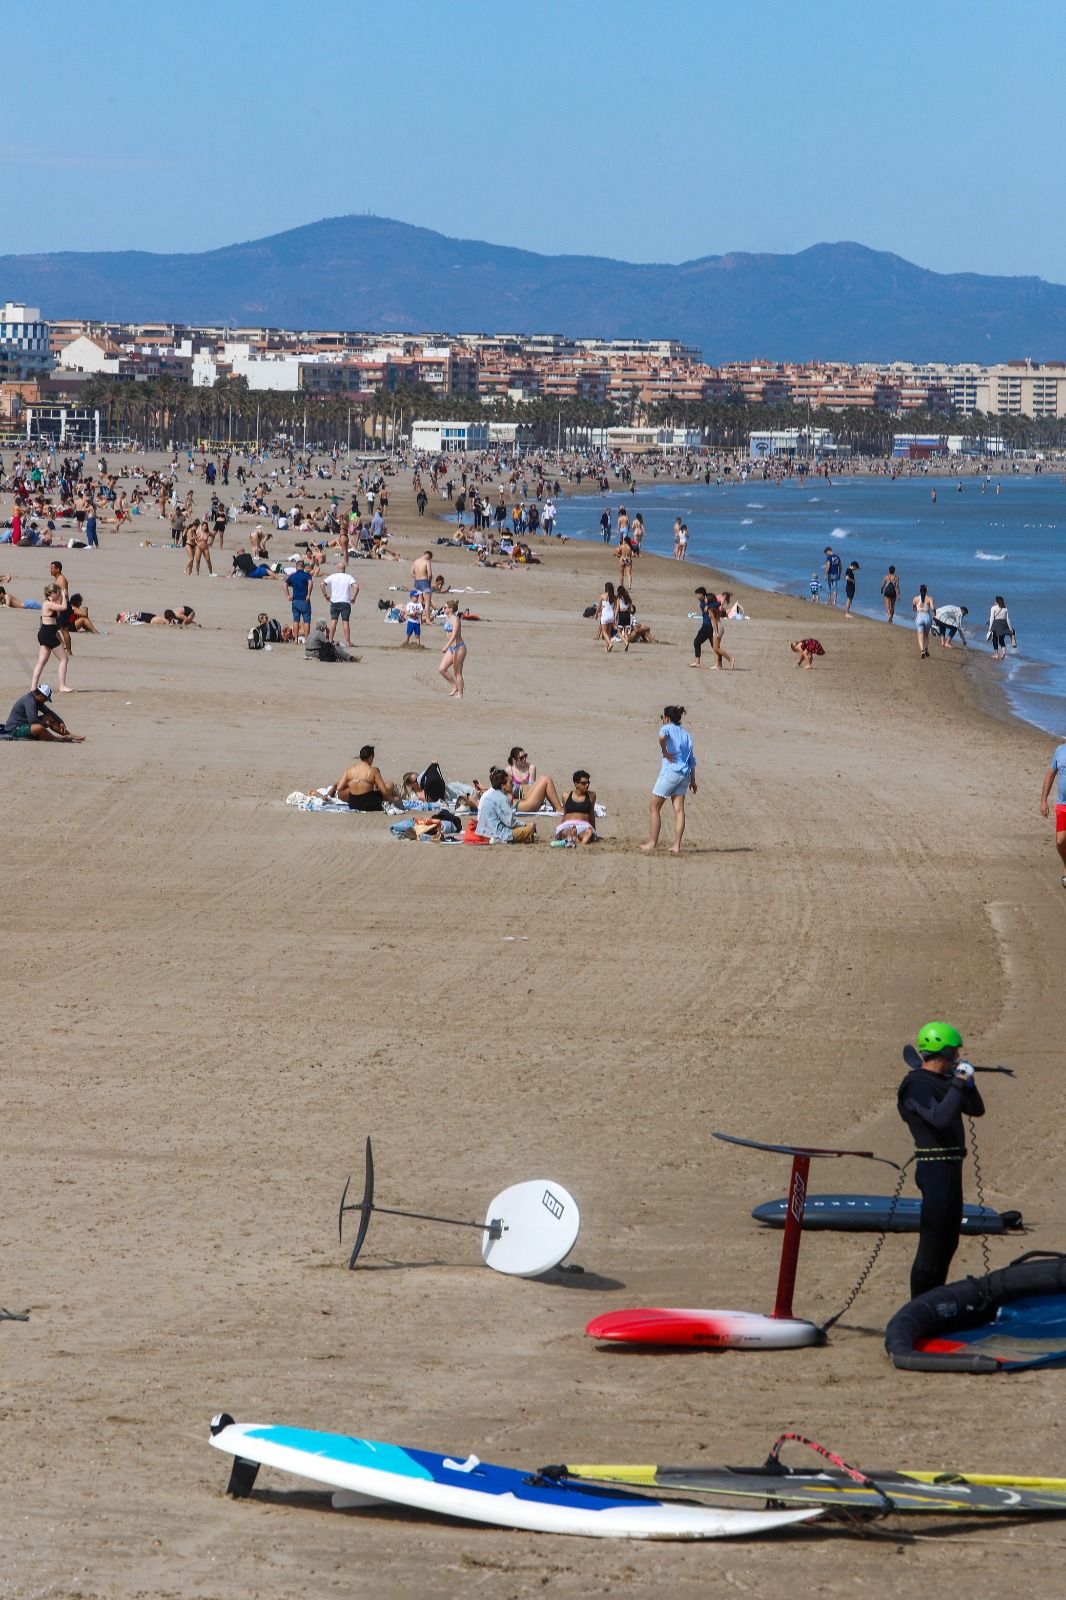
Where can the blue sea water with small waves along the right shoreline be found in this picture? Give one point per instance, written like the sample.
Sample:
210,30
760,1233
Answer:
1000,537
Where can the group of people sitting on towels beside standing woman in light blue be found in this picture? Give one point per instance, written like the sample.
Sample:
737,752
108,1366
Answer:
500,812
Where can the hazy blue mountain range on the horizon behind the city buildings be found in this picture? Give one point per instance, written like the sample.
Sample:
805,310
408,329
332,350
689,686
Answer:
363,273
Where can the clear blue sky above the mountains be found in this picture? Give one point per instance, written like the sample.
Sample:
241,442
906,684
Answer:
652,130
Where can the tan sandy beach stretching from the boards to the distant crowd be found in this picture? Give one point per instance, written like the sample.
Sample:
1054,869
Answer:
212,999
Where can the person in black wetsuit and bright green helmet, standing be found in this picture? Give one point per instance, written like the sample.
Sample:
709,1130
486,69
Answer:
934,1100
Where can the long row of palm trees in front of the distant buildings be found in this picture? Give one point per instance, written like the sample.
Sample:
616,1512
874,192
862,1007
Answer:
167,412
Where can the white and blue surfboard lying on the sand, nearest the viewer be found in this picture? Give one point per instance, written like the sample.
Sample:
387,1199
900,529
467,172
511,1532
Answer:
366,1471
